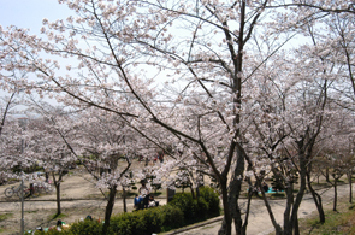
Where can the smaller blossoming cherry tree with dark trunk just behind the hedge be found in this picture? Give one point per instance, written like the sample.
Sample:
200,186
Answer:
105,144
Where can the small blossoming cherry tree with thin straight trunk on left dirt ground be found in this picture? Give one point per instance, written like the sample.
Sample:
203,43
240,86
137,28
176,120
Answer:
48,142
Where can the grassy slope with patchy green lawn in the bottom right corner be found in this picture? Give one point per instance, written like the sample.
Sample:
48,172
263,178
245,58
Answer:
340,222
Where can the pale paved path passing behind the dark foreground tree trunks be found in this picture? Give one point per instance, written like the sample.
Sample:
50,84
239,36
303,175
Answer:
259,219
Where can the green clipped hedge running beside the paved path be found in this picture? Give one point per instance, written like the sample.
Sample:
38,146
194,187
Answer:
182,210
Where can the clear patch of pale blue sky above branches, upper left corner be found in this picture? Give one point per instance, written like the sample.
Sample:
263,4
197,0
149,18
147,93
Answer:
29,13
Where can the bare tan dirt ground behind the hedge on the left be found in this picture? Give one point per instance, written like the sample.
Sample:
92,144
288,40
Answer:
40,213
